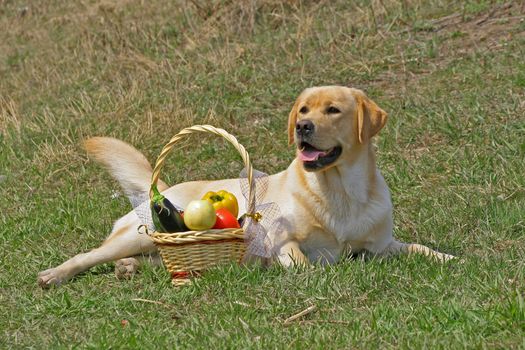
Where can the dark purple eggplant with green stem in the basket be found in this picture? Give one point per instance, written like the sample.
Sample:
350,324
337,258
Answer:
164,214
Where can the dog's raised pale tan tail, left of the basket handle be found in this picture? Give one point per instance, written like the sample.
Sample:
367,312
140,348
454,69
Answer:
124,162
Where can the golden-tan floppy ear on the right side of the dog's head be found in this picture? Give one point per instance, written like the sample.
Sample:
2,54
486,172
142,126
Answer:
370,118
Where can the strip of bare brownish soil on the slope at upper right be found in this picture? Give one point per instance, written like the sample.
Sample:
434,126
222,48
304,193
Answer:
455,36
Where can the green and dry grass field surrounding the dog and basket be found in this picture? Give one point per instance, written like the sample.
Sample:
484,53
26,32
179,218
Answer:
450,74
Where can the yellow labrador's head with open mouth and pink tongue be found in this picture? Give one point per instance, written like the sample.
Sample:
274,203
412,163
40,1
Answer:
327,123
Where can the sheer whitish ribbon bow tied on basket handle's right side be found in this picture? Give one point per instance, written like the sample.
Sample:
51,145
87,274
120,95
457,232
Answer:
264,219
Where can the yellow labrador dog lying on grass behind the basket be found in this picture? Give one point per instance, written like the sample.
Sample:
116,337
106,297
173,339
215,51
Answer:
332,197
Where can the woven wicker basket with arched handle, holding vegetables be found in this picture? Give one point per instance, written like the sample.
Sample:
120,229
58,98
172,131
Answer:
187,254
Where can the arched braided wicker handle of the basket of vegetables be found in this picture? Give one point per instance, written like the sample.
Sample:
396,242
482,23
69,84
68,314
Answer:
212,130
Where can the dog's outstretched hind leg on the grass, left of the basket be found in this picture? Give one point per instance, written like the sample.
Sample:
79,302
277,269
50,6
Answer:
124,242
